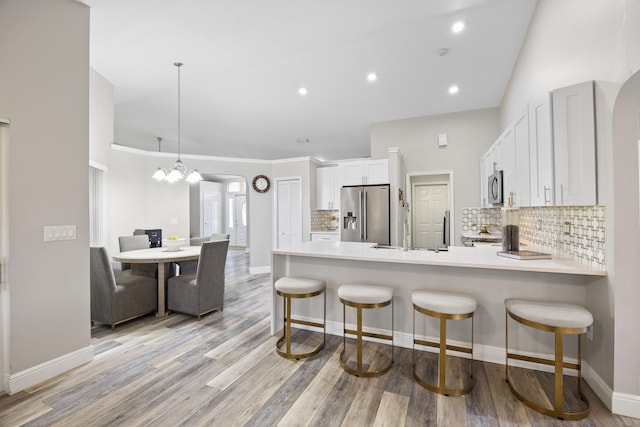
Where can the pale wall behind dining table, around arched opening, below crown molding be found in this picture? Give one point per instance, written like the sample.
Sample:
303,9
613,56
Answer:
153,205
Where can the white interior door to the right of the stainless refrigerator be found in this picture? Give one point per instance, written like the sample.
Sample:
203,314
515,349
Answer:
430,201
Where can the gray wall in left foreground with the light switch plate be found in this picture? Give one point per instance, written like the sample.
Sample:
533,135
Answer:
44,82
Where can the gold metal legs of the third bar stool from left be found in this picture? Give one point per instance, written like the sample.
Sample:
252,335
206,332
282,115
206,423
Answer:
441,386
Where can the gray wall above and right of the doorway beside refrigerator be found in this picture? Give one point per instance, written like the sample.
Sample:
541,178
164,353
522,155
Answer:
470,134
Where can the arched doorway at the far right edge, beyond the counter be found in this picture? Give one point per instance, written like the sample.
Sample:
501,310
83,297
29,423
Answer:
626,237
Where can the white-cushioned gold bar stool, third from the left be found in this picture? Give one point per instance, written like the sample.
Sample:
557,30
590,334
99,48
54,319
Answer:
443,306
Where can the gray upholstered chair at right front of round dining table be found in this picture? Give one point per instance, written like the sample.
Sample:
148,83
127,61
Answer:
201,292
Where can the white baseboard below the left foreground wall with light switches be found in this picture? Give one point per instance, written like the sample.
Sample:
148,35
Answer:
45,371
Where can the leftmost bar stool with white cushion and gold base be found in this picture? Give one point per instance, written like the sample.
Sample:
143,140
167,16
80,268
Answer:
291,288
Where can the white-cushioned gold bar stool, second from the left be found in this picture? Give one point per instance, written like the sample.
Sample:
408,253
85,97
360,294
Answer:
362,297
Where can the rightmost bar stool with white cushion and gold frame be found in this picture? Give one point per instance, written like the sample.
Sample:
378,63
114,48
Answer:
561,319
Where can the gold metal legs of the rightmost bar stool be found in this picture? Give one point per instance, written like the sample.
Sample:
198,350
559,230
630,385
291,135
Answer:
559,365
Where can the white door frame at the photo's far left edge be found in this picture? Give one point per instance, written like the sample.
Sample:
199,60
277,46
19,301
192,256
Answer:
4,254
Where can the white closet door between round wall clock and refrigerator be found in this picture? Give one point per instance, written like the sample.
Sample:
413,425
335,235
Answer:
289,212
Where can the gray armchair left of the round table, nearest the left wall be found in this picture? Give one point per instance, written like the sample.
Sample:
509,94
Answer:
116,300
